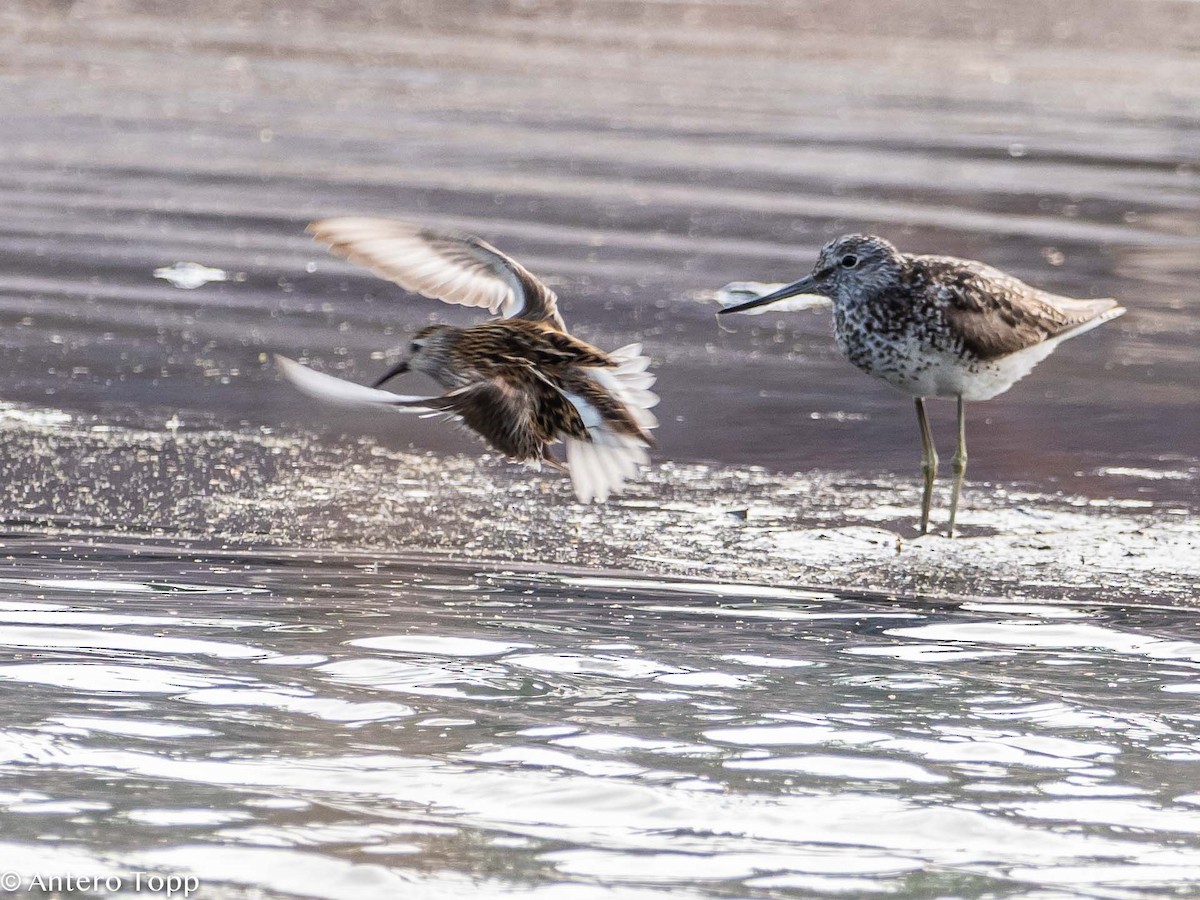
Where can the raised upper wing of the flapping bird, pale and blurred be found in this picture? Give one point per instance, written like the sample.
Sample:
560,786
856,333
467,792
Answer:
445,266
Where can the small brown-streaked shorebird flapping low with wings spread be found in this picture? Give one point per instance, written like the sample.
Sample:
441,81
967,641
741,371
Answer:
521,382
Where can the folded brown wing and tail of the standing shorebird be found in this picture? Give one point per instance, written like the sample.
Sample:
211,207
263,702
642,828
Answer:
997,315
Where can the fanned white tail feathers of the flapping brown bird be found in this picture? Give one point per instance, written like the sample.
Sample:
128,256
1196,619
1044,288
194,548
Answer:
614,452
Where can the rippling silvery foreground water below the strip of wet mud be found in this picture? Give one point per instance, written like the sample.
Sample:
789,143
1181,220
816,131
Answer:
376,730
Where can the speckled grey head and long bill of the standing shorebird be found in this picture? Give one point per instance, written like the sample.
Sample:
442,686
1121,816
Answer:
851,267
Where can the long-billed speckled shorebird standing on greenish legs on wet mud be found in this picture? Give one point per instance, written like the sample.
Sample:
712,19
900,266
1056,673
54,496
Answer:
937,327
